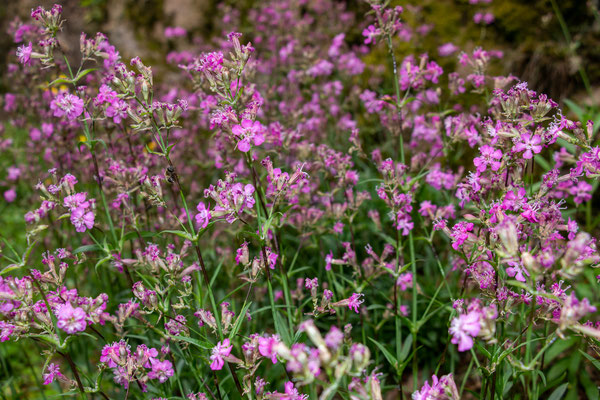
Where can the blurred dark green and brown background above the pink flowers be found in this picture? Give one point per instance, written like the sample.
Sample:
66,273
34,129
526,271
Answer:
546,42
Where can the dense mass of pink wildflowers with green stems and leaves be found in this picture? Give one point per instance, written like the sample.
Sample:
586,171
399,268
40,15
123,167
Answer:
280,219
